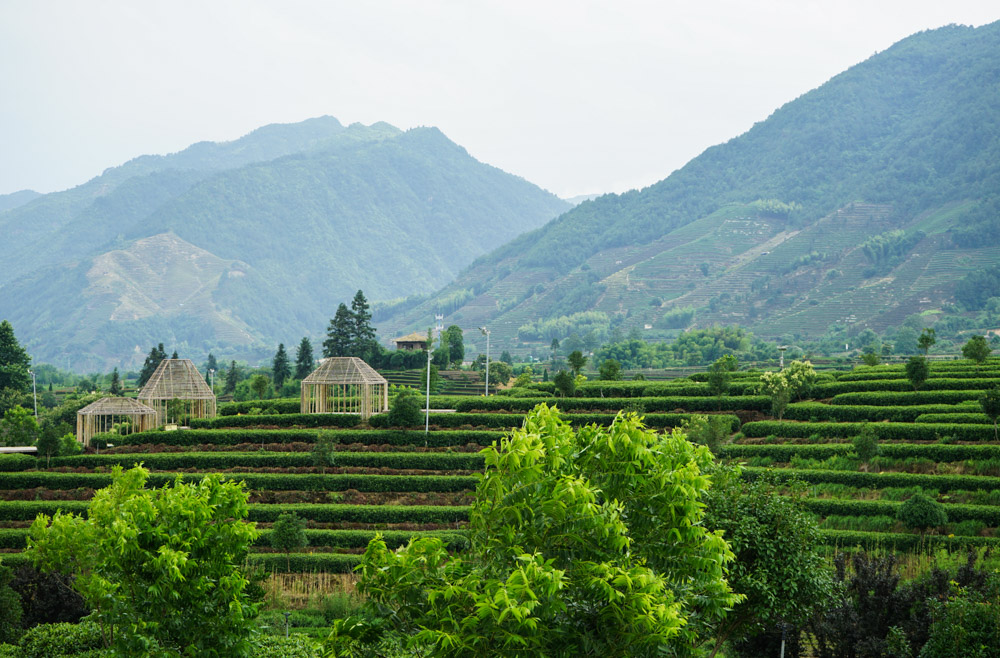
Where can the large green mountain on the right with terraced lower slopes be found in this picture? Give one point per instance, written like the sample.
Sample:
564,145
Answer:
854,206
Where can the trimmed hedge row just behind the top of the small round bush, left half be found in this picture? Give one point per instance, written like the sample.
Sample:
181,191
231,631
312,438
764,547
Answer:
27,510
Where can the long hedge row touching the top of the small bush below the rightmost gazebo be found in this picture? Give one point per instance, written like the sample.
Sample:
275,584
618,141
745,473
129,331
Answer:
441,438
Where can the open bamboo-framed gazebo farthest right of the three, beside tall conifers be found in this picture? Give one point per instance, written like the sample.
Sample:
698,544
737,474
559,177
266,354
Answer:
345,385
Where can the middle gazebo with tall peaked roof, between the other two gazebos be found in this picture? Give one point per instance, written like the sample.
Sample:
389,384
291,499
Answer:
177,389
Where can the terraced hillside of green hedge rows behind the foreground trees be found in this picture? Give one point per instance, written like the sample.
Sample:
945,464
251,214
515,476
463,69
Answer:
400,481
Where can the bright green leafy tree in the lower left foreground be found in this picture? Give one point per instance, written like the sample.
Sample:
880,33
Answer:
160,568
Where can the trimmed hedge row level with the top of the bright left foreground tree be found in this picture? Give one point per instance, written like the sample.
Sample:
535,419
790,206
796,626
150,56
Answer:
256,481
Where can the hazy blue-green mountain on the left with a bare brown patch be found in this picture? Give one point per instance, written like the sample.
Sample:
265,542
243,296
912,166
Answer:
235,247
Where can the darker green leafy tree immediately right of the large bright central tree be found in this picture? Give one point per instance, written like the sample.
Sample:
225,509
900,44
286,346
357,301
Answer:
779,566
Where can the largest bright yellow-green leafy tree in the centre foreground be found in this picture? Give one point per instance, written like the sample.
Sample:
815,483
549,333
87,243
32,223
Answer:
574,550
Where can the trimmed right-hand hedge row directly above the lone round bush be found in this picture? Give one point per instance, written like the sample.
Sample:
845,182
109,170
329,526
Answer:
878,480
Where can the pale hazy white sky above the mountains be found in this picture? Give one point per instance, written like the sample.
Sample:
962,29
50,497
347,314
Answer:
578,97
